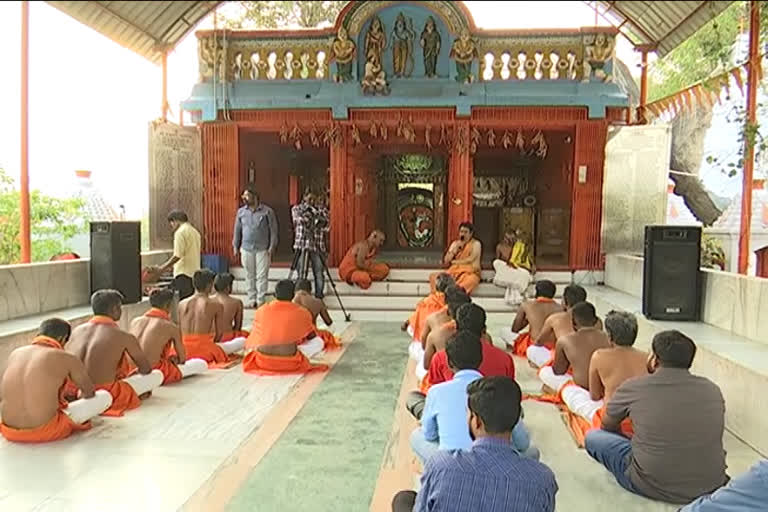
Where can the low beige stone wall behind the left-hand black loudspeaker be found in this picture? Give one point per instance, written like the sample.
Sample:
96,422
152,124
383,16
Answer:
38,288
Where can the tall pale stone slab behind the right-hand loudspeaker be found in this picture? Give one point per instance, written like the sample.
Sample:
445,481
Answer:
635,185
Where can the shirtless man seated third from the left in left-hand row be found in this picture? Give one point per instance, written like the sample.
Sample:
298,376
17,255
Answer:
157,334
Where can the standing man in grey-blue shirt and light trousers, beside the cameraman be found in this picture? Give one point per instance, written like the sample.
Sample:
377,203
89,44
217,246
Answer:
255,238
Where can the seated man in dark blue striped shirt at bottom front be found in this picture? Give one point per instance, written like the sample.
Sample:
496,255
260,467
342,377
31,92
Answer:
491,476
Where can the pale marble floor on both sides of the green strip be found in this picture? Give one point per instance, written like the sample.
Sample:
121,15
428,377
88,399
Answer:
201,432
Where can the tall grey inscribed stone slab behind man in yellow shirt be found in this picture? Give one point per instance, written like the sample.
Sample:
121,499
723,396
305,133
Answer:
175,179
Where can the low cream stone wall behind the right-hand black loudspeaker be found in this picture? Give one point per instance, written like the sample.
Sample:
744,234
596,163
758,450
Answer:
735,303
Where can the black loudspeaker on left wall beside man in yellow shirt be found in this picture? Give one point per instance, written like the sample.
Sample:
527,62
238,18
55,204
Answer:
116,258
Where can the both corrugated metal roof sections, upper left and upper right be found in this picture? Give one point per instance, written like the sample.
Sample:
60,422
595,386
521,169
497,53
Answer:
150,27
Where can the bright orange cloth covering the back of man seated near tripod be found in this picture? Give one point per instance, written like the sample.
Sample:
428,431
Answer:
280,322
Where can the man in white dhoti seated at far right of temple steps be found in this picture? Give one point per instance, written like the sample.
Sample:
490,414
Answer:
513,266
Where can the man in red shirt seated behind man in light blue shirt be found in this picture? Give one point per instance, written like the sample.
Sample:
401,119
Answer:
469,317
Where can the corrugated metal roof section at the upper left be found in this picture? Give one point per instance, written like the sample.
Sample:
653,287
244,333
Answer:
147,28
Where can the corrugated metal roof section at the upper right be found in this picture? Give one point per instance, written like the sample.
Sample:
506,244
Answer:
661,25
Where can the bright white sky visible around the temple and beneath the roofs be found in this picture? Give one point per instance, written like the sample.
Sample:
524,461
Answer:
91,100
